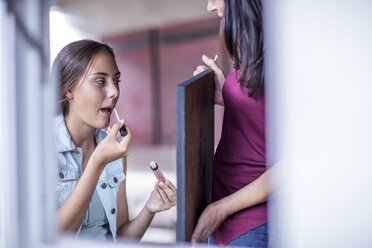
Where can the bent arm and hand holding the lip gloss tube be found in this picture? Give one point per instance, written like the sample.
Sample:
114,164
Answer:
162,198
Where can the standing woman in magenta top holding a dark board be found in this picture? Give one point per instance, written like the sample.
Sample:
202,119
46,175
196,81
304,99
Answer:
238,214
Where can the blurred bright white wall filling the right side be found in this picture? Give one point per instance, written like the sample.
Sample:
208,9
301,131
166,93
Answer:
321,72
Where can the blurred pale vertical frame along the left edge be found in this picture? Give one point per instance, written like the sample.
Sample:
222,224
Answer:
27,105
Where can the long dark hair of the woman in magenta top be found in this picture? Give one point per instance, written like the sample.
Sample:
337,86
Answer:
244,41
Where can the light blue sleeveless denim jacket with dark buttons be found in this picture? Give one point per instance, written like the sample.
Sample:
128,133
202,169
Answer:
69,170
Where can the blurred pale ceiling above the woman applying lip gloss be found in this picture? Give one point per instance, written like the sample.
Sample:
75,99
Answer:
98,18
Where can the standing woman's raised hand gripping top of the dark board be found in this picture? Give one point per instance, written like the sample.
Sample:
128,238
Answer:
219,77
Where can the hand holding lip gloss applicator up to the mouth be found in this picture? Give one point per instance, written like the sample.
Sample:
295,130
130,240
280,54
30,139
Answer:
113,146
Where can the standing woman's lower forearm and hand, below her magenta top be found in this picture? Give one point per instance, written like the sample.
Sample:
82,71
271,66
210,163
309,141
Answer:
254,193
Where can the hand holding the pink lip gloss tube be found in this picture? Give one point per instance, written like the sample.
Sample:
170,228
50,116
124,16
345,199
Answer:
163,197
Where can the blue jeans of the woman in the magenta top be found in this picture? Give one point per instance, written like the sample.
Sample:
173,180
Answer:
255,238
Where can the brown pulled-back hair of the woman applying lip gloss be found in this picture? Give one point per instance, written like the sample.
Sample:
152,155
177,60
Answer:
72,62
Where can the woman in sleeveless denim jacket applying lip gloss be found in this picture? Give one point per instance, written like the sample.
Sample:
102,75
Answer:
91,190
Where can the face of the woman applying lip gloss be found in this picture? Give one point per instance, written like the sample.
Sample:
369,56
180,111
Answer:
94,97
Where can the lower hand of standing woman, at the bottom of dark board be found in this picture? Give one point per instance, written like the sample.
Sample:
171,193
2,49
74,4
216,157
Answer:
209,221
